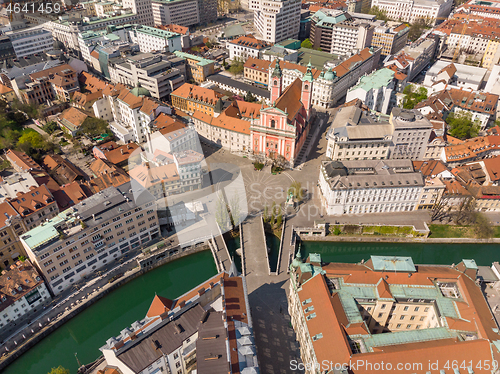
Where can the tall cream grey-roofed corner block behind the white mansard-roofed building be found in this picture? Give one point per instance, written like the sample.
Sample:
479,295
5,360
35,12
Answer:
411,134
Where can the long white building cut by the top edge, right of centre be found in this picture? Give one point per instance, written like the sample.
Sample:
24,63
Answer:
410,11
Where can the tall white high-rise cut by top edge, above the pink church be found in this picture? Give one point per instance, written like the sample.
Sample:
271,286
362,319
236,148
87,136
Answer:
276,20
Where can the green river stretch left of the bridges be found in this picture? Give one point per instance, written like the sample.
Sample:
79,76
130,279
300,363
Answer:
90,329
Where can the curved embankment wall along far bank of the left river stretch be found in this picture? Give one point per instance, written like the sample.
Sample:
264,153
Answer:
110,287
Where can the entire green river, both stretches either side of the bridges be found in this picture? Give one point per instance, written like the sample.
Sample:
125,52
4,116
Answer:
89,330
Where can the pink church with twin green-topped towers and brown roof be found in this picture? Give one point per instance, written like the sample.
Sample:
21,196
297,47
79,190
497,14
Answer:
283,127
